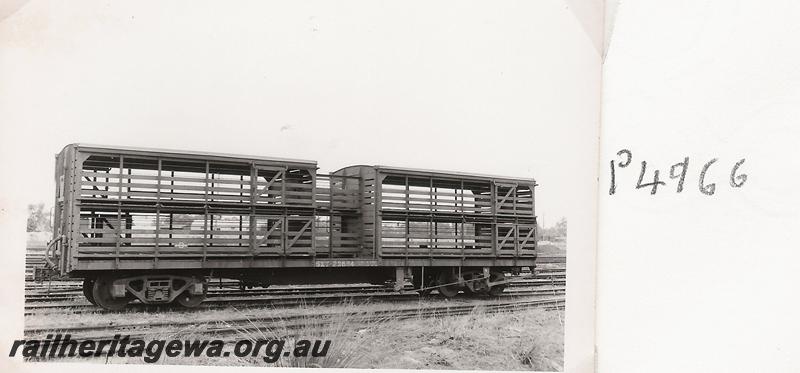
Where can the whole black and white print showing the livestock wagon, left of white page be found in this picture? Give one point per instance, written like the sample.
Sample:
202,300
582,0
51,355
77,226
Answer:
362,185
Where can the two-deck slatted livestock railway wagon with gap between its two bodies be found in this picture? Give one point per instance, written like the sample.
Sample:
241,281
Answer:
154,225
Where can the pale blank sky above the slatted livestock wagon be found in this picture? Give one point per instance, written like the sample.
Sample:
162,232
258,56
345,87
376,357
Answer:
506,89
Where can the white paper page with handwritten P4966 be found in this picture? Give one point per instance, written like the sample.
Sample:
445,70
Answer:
689,281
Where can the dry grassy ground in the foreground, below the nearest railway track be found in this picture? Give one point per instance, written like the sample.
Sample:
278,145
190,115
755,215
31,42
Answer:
530,339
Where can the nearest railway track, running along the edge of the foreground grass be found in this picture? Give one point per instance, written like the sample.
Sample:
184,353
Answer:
287,323
